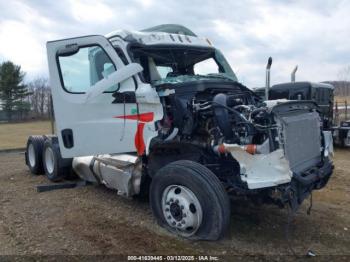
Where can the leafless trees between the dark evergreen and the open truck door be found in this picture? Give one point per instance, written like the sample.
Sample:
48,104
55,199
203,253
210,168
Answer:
40,97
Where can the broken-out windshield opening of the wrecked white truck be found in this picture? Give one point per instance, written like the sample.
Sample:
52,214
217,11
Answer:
164,64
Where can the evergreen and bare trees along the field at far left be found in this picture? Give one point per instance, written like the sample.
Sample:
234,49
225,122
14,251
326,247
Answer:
19,100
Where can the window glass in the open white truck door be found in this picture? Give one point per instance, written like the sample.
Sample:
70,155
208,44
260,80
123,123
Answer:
85,68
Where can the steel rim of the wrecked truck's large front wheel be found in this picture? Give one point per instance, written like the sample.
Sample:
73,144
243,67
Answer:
182,210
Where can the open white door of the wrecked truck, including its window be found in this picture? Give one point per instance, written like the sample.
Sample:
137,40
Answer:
88,80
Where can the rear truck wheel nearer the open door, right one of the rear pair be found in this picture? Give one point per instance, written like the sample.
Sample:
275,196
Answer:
56,168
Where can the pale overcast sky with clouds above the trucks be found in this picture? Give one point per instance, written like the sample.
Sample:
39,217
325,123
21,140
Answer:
313,34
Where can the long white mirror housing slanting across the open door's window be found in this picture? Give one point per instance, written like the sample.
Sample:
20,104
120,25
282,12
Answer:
114,78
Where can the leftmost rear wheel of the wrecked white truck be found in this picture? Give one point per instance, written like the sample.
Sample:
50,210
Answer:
33,154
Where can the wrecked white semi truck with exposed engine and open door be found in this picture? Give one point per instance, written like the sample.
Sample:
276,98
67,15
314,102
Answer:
160,112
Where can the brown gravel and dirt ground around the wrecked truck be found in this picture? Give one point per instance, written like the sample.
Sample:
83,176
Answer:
96,221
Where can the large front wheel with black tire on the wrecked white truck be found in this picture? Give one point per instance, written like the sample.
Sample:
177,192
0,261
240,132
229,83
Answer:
189,200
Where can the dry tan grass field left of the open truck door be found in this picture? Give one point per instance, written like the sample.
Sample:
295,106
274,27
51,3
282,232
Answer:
15,135
